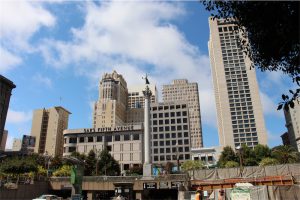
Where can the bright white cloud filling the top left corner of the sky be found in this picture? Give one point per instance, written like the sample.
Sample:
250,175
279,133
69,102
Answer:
19,20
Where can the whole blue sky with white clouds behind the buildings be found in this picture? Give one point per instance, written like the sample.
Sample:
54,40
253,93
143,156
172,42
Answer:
56,52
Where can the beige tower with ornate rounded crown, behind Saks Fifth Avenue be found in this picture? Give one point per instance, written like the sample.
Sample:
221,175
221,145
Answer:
110,109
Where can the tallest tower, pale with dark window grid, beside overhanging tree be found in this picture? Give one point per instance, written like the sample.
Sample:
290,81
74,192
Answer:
239,110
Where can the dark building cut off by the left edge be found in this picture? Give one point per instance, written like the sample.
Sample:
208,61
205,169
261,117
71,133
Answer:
6,86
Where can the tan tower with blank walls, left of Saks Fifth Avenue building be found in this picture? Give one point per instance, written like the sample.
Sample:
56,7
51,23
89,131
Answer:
47,127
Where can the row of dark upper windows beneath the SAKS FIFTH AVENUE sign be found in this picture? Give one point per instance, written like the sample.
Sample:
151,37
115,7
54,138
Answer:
108,138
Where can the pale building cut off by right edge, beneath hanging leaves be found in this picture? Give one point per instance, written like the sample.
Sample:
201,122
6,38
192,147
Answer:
292,119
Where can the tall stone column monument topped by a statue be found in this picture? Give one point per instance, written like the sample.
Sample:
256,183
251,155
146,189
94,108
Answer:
147,167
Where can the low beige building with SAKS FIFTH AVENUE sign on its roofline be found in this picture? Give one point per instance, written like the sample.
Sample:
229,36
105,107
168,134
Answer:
125,143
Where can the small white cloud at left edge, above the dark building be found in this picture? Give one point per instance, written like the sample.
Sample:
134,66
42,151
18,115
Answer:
8,60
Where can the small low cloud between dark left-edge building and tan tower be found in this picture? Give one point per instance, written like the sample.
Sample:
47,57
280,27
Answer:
18,117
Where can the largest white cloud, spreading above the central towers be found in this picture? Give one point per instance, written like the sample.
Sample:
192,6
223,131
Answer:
134,38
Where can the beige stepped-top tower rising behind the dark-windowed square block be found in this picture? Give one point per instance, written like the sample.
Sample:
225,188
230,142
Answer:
182,90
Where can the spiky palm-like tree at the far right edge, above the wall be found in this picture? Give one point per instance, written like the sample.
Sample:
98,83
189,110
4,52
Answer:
285,154
